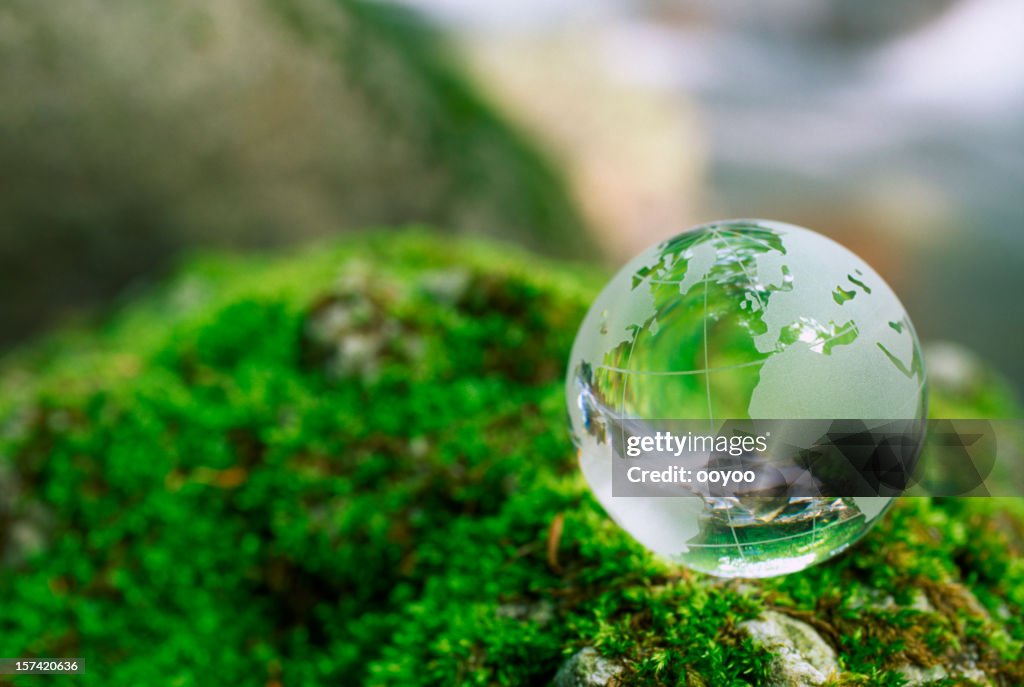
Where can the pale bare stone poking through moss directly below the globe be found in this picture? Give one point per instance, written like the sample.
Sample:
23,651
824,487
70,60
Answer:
802,658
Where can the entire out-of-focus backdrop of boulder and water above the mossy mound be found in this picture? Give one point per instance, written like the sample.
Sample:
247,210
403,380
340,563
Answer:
133,134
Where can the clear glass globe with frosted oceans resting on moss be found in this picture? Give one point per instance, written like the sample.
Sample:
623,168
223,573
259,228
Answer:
742,320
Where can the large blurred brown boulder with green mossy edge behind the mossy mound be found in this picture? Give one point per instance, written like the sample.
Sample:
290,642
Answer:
133,132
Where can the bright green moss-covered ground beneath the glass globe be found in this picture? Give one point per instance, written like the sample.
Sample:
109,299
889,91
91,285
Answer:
352,466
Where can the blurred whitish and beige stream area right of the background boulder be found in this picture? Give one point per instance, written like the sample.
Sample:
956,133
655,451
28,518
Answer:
895,127
